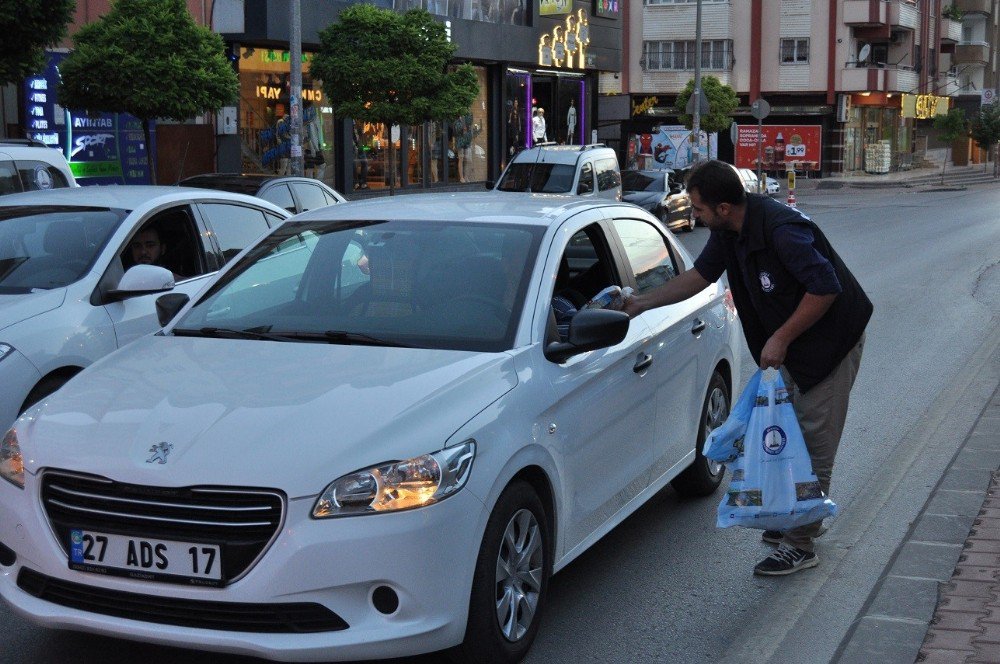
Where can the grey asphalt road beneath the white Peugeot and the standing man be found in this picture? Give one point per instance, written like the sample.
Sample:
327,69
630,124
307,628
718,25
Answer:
666,585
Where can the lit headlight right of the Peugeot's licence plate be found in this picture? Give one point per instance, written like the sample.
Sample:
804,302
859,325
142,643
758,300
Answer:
398,485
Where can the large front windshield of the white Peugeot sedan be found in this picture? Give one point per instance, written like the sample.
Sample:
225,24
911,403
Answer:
426,284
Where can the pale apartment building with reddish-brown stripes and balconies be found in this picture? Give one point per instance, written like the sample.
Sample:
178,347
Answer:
852,84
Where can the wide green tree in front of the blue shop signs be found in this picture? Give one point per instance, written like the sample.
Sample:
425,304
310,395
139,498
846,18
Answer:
148,58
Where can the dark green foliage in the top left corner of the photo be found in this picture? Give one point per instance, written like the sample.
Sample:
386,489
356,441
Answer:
28,26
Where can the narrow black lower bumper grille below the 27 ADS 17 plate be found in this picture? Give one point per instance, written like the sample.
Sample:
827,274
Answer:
298,618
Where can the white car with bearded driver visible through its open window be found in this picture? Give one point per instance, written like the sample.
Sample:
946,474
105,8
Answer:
71,290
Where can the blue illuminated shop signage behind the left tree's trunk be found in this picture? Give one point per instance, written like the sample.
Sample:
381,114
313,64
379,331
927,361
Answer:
109,148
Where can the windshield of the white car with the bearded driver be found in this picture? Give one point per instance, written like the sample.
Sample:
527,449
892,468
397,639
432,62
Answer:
43,247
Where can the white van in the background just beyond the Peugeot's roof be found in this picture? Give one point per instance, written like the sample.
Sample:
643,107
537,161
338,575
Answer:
583,170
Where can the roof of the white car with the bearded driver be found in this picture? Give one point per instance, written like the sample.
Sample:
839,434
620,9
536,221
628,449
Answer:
126,197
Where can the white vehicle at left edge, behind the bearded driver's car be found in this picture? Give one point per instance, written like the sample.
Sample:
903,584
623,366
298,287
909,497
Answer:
28,165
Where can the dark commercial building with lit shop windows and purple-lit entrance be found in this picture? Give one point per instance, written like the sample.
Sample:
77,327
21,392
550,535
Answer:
527,54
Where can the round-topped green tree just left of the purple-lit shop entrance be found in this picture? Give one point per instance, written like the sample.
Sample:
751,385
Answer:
385,67
